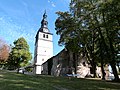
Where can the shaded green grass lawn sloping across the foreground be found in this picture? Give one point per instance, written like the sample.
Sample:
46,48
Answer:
13,81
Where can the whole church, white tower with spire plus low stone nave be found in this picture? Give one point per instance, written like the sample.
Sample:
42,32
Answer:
61,64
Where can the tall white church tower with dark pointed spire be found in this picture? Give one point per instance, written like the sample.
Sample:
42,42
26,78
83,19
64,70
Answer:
43,46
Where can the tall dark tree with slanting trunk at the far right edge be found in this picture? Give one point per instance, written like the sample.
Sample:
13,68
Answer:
110,18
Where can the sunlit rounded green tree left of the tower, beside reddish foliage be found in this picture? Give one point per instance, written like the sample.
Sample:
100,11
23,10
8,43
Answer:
20,54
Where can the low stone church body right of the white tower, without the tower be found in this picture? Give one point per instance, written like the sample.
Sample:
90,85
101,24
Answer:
62,64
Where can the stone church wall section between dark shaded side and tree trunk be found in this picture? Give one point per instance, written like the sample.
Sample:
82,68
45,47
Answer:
60,62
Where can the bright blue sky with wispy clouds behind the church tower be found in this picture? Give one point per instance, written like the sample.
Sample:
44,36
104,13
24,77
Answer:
22,18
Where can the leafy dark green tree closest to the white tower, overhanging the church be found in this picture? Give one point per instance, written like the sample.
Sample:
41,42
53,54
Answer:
75,33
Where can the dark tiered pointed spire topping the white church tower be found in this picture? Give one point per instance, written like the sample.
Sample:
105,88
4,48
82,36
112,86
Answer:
44,24
